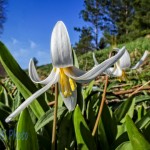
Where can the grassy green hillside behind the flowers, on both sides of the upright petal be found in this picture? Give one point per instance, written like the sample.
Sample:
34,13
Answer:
136,49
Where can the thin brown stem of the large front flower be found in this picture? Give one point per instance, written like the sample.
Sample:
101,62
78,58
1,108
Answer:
55,118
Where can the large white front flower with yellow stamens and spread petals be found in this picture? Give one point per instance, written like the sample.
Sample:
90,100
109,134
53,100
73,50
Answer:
63,72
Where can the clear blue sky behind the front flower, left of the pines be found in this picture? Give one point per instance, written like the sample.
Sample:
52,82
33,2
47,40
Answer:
29,24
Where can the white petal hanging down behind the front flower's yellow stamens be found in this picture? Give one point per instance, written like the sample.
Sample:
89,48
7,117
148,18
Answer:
71,101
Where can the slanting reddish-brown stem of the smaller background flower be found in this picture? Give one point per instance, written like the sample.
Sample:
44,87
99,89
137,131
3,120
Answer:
101,107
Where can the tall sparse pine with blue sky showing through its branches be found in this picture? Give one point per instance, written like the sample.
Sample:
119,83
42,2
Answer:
95,13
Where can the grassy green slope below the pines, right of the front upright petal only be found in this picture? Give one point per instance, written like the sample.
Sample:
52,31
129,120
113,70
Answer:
136,49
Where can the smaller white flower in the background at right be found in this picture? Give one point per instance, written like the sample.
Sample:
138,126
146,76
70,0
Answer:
122,64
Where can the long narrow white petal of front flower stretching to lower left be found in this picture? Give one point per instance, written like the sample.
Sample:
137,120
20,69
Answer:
31,98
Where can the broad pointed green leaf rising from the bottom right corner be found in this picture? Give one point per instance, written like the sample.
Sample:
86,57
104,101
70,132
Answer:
138,141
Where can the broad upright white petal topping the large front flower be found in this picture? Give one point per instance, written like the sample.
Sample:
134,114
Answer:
60,46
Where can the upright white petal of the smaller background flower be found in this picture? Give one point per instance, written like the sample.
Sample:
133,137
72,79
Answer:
125,61
